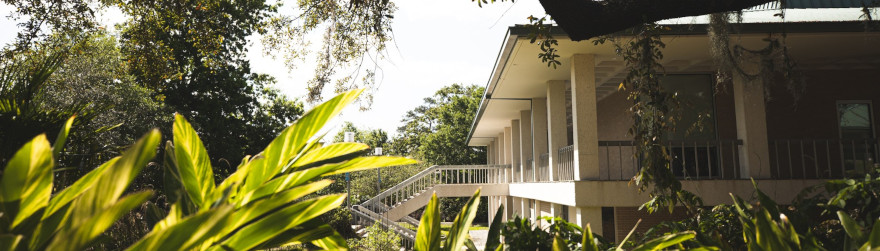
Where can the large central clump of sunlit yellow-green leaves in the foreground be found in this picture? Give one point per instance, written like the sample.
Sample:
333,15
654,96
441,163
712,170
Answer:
260,205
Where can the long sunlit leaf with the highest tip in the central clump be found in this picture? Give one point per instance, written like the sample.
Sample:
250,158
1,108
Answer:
294,138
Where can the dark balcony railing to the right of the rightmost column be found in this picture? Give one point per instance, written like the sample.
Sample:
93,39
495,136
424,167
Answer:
821,158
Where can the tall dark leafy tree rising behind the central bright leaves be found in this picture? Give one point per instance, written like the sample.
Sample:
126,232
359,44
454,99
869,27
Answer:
193,56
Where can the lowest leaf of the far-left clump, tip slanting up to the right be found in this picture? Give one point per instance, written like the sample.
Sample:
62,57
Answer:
78,237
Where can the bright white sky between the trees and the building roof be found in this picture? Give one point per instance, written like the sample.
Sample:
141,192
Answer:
436,43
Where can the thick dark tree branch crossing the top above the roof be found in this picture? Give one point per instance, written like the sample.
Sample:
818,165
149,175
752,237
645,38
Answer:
585,19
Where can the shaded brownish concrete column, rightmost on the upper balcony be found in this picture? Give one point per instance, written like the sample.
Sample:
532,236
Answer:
751,127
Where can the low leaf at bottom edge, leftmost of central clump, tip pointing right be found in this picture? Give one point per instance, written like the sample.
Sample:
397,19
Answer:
189,232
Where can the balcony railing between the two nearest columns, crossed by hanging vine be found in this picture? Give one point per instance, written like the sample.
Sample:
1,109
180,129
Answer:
691,159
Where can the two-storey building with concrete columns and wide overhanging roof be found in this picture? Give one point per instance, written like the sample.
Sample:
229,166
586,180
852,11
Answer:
558,143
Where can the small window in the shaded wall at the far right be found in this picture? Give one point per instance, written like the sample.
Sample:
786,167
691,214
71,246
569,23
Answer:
857,144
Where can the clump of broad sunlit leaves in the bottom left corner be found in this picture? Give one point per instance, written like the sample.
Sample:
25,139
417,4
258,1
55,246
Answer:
31,218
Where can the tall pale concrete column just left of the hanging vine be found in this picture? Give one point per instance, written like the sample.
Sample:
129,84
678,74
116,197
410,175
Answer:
584,117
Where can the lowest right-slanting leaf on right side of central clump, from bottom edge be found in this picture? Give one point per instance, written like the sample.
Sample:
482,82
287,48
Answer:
279,221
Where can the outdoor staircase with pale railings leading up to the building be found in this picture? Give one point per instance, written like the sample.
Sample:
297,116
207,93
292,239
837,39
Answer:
395,204
